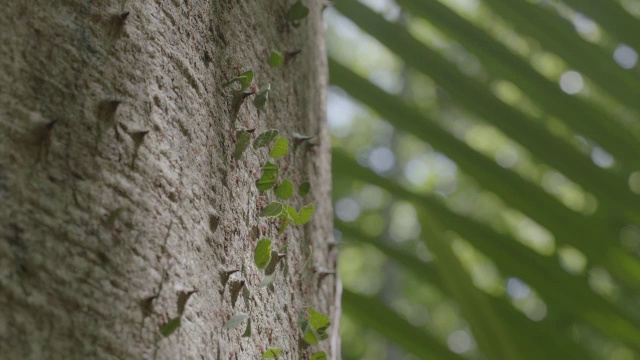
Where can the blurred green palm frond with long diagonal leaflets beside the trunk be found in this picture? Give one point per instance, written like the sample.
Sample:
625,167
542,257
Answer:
573,301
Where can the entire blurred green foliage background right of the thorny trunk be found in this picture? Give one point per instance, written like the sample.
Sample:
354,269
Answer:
486,177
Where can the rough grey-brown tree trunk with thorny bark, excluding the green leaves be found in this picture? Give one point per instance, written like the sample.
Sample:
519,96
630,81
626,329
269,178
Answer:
119,191
